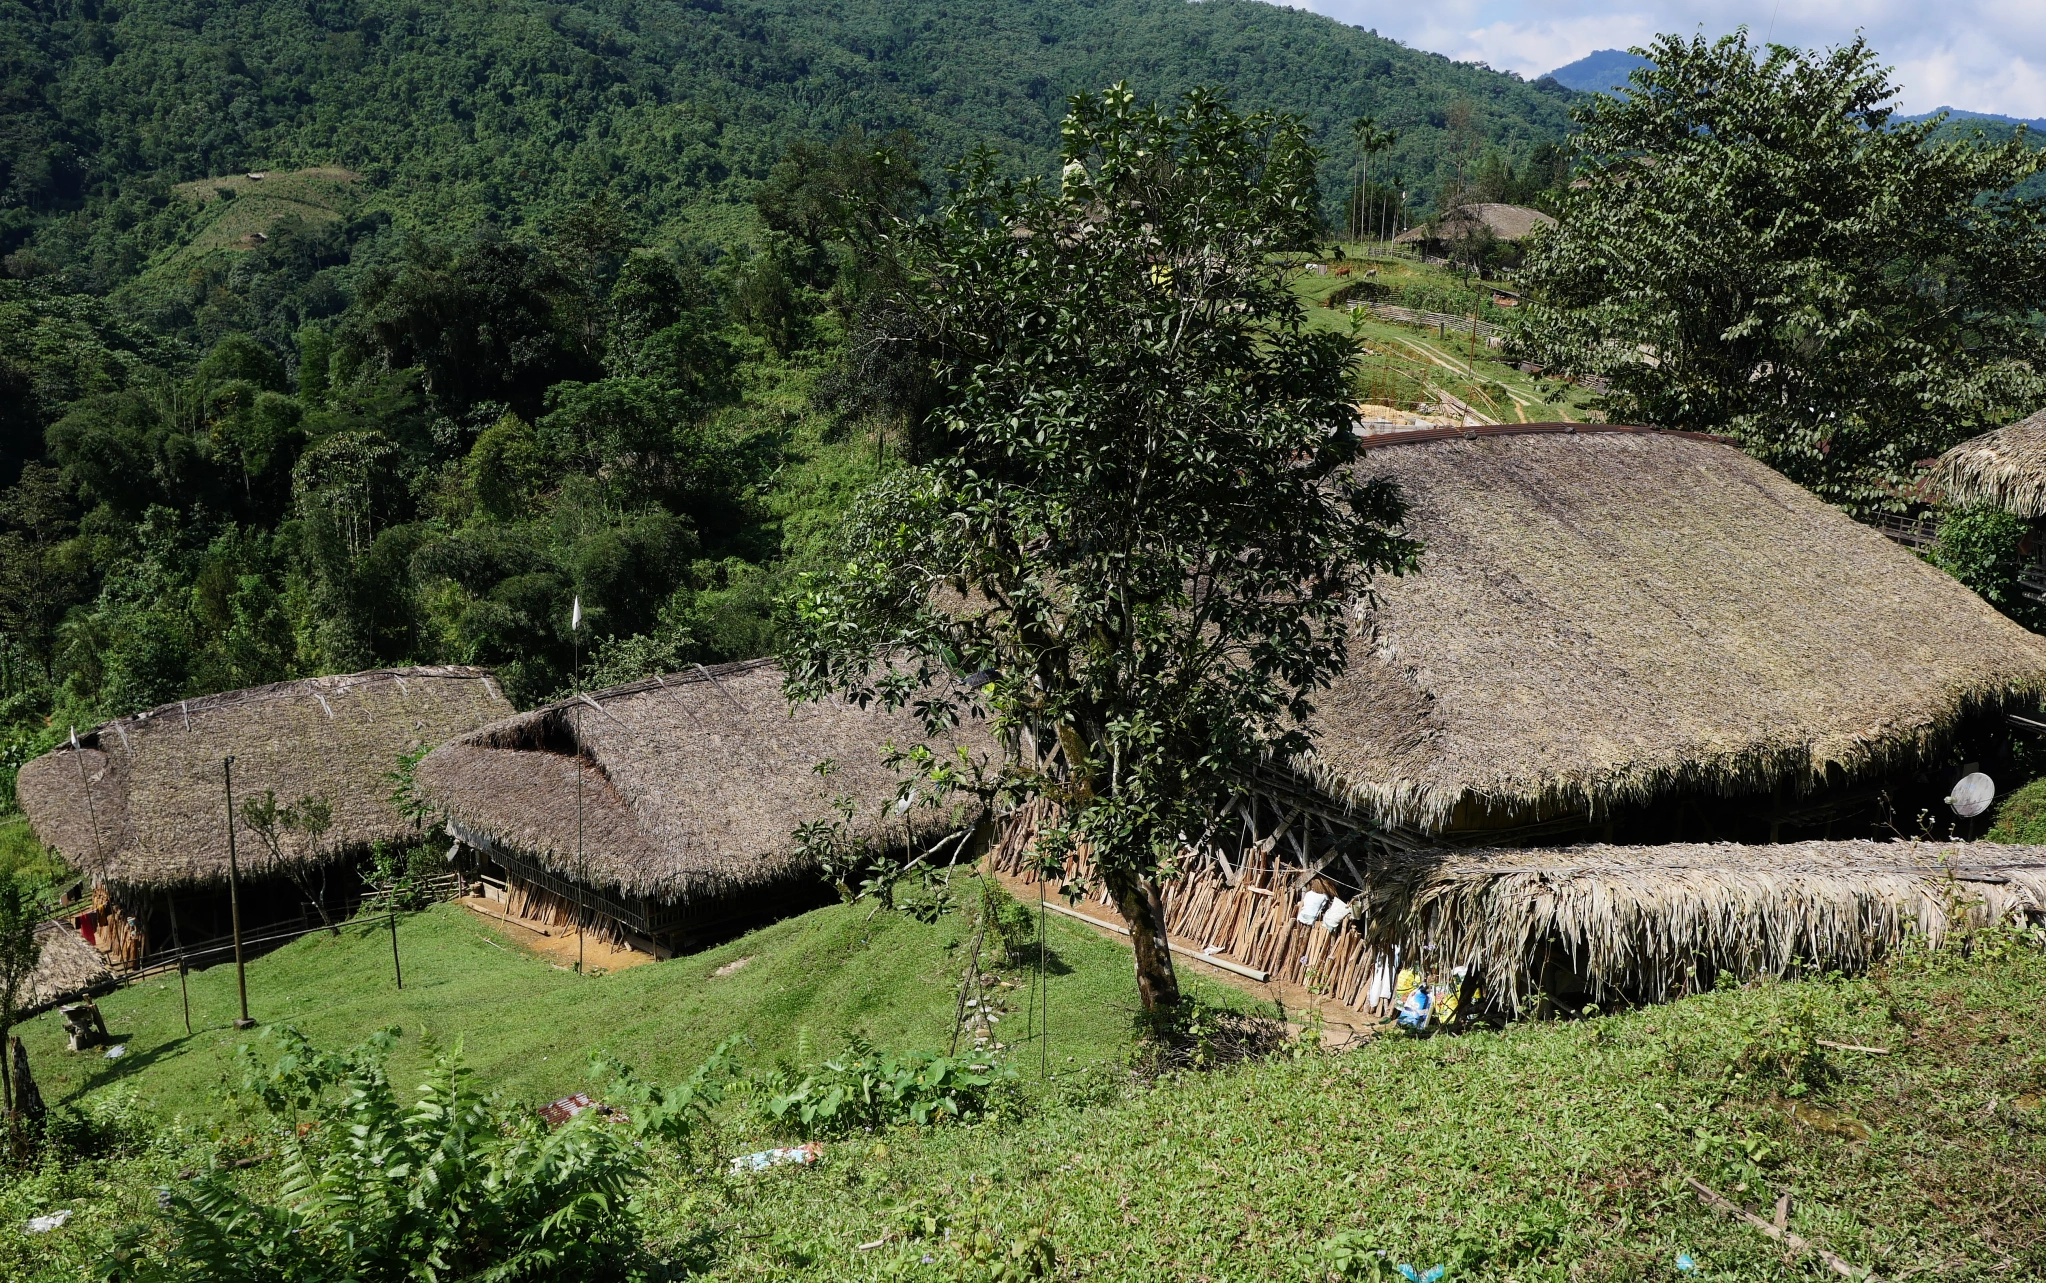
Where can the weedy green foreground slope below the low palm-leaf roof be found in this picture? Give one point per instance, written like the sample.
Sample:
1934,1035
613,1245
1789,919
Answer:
1556,1151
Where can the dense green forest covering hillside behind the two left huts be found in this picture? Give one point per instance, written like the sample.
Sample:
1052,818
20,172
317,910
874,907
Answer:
341,335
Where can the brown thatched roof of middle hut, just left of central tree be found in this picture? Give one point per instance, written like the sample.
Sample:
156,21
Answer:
693,785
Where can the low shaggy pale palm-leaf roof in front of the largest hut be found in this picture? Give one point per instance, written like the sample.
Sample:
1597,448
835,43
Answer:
1646,922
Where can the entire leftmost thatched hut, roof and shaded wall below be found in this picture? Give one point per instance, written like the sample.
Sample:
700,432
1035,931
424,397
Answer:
140,803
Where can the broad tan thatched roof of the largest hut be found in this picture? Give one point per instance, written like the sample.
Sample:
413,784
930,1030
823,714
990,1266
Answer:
1603,615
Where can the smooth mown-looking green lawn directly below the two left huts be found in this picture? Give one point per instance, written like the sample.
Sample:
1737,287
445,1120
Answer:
529,1028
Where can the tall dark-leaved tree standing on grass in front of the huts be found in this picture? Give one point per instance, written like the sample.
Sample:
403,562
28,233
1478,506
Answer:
1139,537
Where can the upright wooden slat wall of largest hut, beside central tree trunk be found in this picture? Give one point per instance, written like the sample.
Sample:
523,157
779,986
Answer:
1247,901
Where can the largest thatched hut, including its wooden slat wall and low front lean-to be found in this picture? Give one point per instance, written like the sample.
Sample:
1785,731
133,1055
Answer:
1615,635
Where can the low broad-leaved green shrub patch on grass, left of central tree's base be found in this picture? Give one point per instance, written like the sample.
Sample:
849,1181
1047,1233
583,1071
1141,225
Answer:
883,1090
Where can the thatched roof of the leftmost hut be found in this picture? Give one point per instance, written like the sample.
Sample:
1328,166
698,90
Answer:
159,811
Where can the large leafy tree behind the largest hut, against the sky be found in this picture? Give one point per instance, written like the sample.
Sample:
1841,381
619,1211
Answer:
1756,247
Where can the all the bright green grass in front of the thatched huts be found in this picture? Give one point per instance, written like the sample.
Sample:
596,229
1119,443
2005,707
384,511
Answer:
1540,1153
